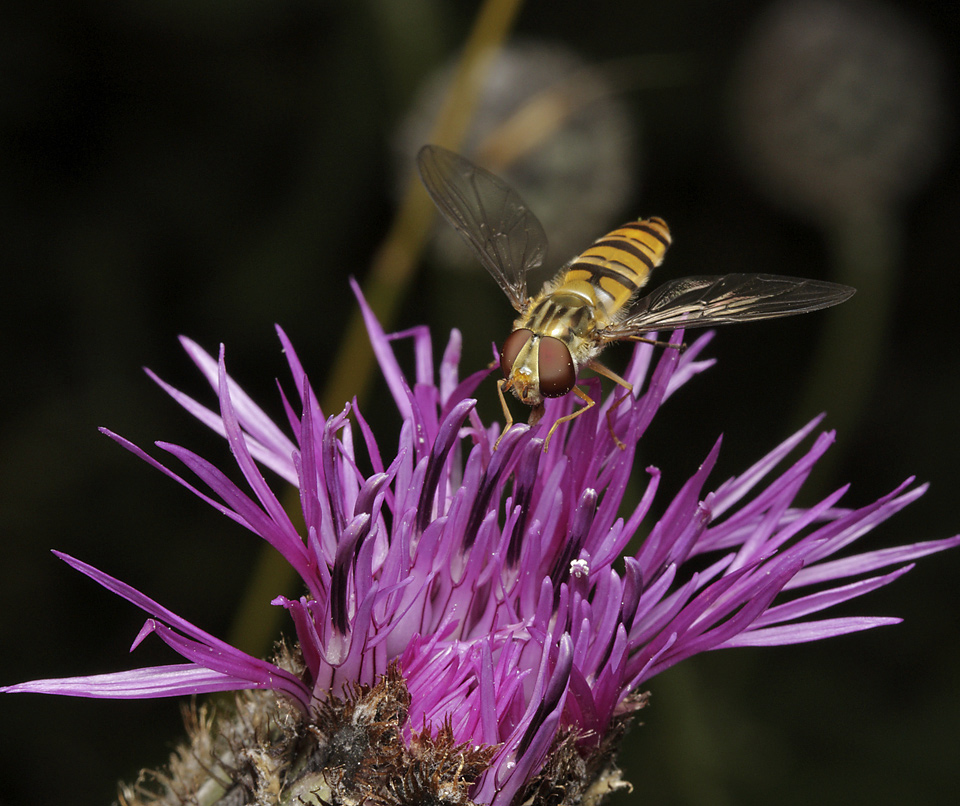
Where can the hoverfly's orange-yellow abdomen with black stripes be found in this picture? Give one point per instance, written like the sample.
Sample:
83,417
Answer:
618,264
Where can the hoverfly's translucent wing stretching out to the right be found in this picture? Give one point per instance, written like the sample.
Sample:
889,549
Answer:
706,301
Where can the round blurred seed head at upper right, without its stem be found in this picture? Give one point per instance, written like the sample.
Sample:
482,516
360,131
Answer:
838,105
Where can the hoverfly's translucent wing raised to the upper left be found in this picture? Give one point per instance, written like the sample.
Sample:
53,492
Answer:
489,215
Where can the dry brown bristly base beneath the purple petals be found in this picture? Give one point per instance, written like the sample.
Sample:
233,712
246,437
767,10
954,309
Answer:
353,751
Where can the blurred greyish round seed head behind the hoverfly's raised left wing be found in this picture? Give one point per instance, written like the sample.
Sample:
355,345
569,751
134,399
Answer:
555,129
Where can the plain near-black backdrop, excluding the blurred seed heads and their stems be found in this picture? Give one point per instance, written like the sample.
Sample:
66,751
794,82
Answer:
214,168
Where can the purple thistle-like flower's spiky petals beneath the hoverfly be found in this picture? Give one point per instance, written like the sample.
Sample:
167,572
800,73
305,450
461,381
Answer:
492,581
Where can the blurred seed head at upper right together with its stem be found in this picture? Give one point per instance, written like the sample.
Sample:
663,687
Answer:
840,117
